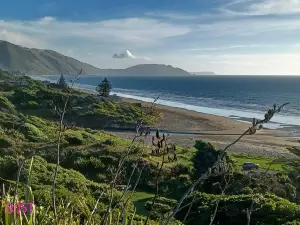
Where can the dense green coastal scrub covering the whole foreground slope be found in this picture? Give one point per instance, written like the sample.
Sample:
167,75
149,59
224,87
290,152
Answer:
103,179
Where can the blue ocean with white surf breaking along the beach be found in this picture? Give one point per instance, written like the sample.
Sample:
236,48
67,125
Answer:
238,97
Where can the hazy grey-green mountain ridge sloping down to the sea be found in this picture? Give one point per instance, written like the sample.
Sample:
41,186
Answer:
35,61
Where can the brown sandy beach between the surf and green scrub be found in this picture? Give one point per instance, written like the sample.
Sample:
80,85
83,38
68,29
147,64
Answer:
218,130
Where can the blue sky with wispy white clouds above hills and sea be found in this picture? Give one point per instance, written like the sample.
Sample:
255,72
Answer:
230,37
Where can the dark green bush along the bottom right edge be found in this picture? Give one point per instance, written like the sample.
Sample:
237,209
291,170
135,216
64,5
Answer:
268,209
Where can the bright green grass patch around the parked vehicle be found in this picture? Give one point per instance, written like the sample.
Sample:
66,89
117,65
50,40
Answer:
263,162
